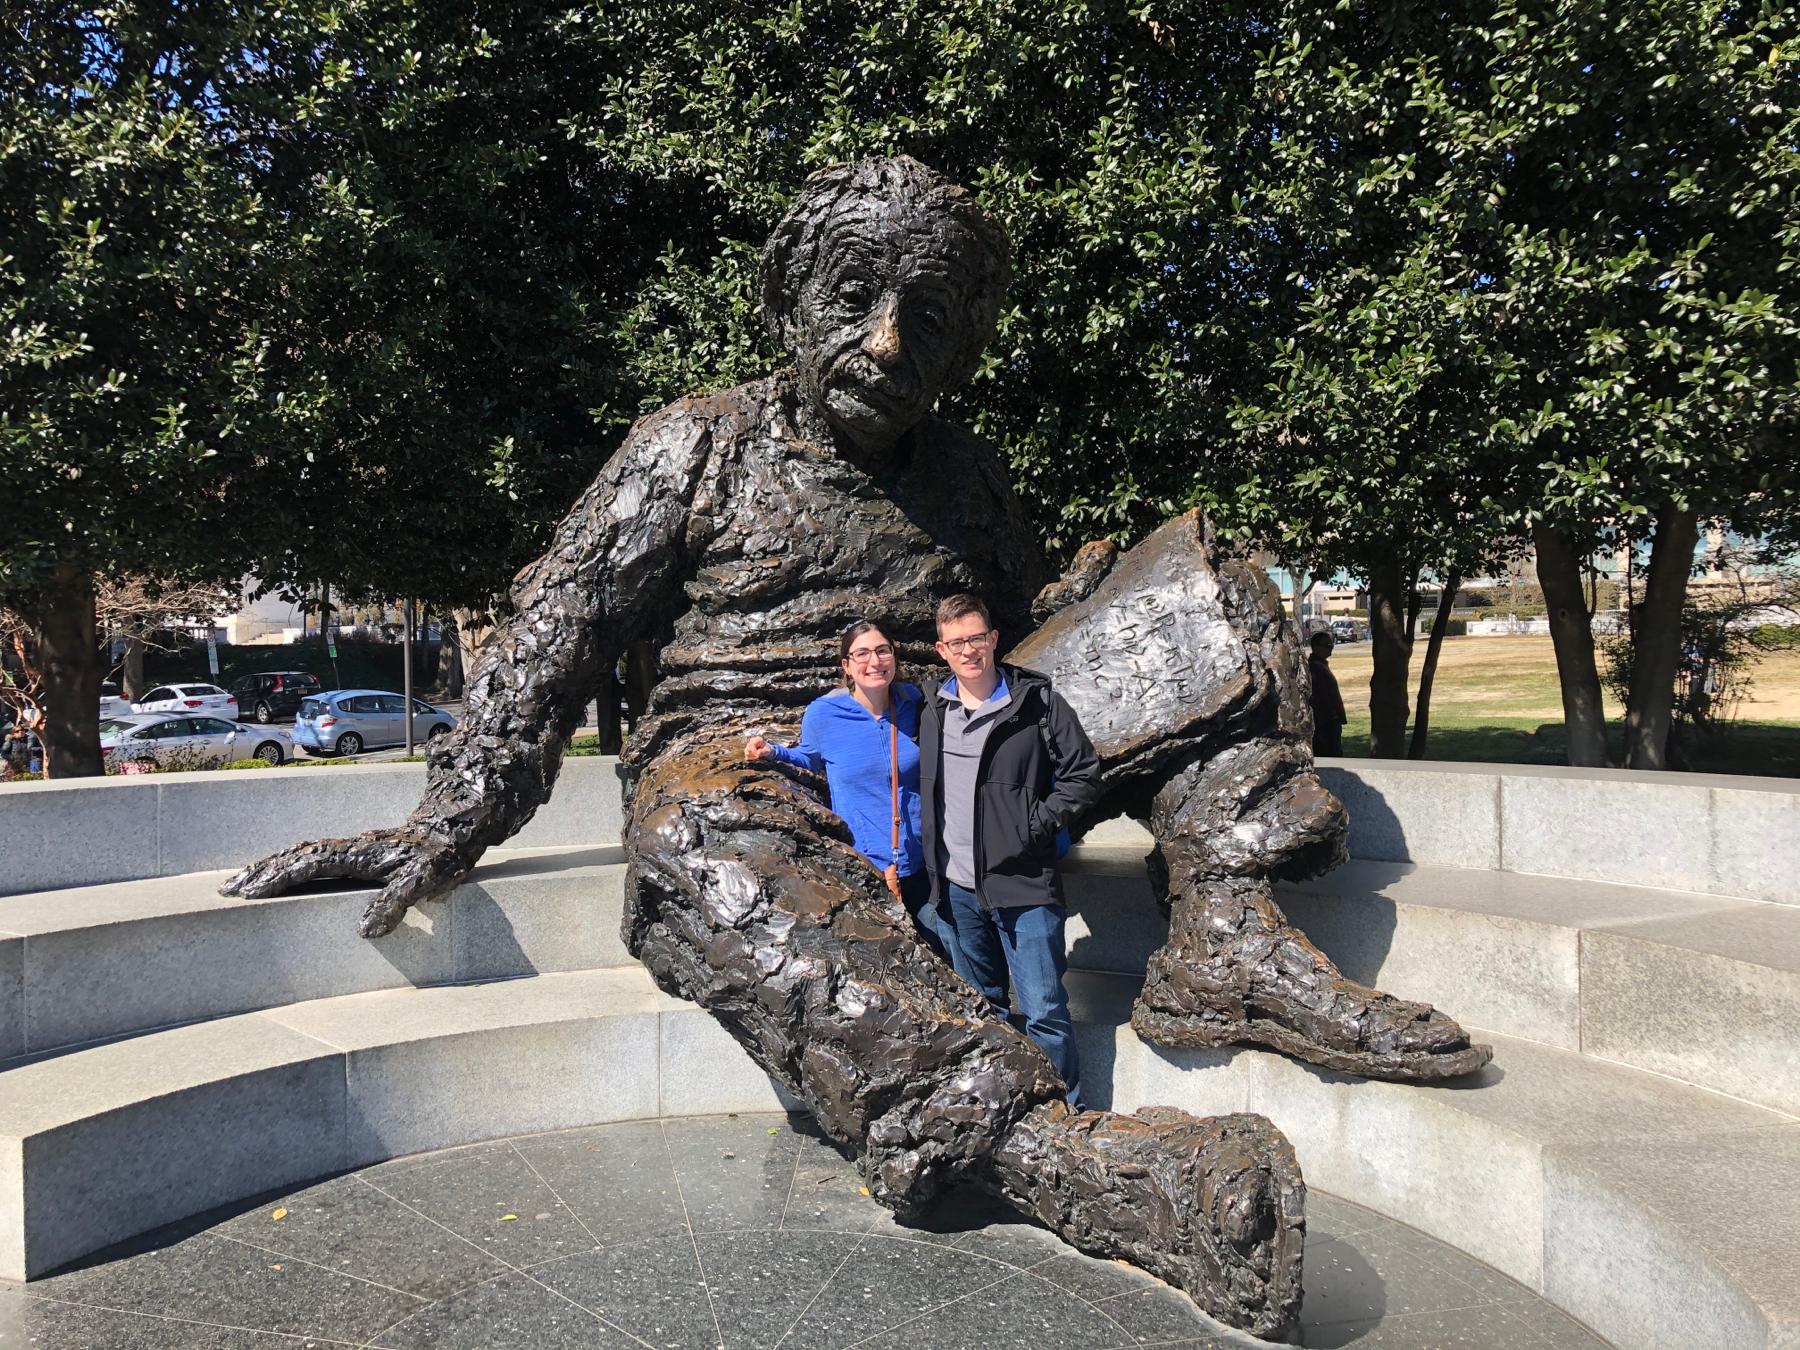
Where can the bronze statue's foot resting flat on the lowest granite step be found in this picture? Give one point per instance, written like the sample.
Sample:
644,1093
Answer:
1236,973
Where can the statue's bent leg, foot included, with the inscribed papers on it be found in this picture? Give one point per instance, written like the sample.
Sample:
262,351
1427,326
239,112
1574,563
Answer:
1194,694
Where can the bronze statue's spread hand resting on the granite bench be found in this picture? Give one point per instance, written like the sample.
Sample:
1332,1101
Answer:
409,863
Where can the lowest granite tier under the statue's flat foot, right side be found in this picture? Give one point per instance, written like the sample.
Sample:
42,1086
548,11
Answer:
1655,1212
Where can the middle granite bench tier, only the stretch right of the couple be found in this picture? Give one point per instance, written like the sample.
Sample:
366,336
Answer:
1689,985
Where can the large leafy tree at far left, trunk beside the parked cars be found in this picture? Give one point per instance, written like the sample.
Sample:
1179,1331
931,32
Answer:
300,291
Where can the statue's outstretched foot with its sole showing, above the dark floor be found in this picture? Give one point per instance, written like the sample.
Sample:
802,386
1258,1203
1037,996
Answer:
1216,1207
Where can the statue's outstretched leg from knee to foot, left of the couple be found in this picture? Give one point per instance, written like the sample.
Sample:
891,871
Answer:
746,897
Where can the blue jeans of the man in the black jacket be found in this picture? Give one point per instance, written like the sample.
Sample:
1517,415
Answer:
1025,944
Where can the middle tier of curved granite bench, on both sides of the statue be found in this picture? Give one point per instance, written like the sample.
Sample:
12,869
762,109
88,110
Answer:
1689,985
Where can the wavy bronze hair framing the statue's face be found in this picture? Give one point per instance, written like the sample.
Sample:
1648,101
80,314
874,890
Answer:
793,249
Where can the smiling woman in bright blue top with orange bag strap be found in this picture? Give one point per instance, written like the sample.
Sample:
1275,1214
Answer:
849,735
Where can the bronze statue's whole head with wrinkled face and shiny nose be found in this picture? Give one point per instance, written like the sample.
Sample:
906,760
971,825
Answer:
885,282
